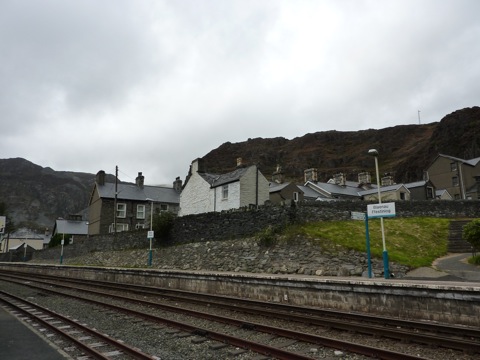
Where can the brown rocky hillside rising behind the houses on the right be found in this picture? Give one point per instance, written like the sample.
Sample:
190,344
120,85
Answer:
405,151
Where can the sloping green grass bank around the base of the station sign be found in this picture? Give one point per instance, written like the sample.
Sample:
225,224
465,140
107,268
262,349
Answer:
414,242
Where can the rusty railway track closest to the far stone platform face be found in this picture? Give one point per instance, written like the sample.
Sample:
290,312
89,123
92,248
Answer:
388,327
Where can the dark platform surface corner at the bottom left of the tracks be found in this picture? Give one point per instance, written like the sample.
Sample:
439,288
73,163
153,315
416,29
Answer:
21,342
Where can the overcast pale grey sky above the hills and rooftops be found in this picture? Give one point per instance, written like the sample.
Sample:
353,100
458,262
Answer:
151,85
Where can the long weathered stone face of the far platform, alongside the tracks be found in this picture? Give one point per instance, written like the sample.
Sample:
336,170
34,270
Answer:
445,303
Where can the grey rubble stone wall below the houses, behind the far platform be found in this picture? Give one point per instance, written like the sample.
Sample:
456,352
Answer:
225,242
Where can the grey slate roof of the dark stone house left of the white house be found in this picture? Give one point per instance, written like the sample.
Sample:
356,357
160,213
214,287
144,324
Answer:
134,192
